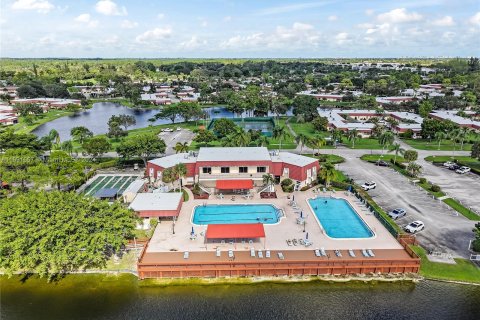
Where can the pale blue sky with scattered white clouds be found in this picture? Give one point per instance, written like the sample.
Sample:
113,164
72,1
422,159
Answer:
239,29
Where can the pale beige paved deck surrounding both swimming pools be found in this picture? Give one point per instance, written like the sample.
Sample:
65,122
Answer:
276,235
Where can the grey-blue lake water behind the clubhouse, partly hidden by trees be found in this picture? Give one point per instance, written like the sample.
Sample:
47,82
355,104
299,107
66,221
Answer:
96,118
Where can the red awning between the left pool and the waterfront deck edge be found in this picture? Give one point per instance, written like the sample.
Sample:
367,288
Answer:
235,231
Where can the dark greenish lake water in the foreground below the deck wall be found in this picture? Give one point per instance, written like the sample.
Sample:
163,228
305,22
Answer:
111,297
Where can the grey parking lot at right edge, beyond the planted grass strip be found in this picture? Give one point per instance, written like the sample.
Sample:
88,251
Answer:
463,187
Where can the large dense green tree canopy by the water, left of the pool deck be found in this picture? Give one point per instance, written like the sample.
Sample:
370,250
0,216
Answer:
52,233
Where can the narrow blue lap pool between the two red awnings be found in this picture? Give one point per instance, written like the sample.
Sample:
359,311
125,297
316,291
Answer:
232,214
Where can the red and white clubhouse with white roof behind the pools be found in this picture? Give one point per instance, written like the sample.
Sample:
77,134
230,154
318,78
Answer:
237,168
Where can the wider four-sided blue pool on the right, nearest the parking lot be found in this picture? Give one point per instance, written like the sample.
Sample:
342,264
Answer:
338,219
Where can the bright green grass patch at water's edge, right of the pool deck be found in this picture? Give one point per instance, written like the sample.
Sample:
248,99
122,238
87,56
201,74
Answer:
464,270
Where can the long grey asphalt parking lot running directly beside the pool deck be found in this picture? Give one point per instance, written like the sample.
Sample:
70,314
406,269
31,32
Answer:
445,230
